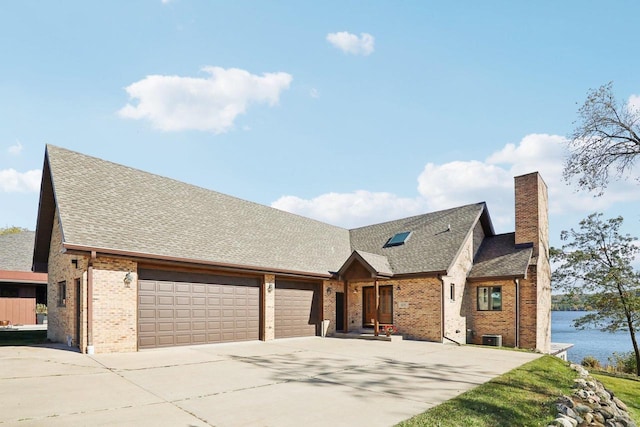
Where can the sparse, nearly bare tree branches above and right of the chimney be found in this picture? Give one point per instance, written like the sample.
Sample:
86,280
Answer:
605,142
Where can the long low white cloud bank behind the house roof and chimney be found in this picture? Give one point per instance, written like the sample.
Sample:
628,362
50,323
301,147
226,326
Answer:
442,186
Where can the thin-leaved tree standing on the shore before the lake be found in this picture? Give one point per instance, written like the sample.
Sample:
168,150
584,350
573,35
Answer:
596,264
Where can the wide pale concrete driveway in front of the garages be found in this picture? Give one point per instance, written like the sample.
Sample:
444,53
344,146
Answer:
290,382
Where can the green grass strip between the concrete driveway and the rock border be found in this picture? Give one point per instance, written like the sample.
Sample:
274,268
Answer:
522,397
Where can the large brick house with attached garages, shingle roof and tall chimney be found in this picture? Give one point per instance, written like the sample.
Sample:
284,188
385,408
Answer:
137,260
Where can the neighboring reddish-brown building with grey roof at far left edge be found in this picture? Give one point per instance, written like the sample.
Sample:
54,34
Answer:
20,289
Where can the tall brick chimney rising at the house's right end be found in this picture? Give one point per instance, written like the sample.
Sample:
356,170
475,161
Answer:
532,212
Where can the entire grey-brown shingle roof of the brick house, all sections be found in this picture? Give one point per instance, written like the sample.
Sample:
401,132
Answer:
113,208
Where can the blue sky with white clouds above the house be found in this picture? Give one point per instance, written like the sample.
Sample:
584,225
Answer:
350,112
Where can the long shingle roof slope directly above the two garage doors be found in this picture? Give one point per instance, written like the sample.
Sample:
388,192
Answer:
113,207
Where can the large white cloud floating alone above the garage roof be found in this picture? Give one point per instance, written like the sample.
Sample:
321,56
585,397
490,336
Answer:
174,103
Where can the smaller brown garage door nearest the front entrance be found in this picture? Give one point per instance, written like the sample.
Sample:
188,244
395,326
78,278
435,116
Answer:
296,309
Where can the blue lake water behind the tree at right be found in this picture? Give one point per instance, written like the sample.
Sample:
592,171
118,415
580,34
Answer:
587,342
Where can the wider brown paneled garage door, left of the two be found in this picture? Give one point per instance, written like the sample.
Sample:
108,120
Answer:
188,308
